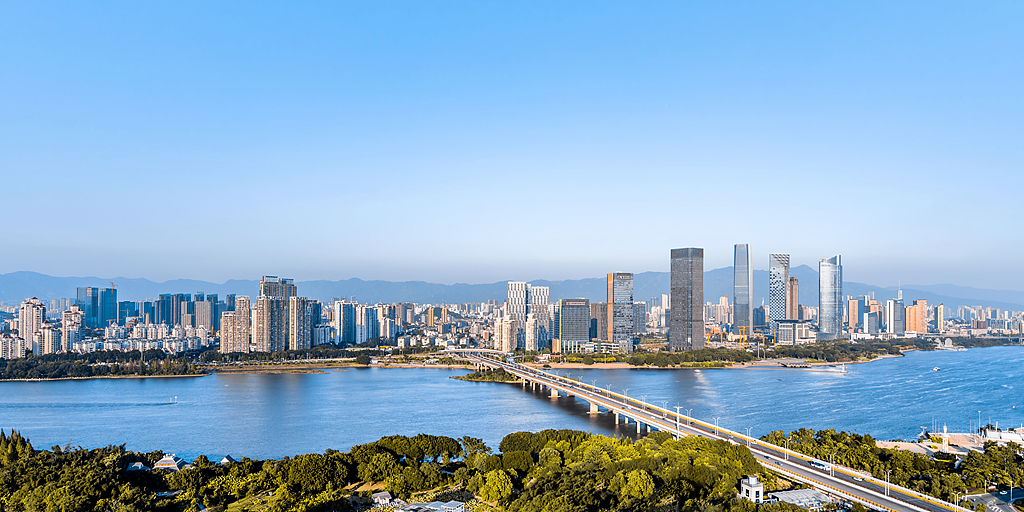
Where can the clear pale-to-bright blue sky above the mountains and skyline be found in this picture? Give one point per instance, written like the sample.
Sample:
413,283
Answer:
479,142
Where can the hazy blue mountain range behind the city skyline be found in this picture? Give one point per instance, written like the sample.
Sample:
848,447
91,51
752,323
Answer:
16,287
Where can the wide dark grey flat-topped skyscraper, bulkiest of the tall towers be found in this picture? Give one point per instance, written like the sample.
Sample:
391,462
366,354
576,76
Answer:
687,329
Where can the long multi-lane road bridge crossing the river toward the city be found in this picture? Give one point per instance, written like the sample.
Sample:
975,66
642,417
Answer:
831,479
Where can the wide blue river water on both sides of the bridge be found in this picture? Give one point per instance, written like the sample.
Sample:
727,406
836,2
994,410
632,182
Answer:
273,416
